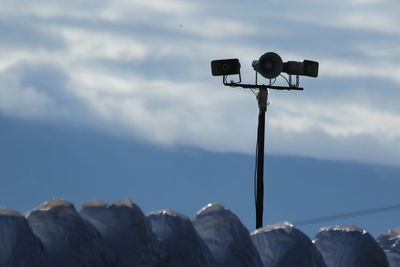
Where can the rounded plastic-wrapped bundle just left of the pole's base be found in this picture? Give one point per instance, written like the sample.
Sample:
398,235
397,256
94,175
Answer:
226,237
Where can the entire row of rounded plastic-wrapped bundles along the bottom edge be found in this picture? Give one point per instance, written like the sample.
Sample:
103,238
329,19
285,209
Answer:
119,234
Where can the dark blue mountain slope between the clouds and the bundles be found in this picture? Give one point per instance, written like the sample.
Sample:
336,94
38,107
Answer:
42,160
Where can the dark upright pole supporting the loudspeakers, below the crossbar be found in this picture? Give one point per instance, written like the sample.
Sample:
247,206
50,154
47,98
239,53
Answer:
262,98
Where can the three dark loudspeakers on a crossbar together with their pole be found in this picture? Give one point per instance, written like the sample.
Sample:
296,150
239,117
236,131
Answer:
270,66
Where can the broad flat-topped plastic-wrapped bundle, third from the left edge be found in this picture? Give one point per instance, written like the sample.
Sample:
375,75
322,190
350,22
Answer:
125,229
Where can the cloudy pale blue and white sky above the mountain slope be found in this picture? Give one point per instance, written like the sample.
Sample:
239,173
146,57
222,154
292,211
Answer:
142,69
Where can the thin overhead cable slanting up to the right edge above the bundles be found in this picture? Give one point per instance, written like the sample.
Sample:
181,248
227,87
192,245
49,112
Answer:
347,215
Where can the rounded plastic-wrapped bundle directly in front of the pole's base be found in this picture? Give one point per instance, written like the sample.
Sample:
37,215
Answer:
283,245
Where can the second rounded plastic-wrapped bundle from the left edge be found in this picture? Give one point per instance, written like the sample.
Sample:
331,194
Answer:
67,238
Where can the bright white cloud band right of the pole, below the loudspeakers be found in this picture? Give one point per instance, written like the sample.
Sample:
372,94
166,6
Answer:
336,119
